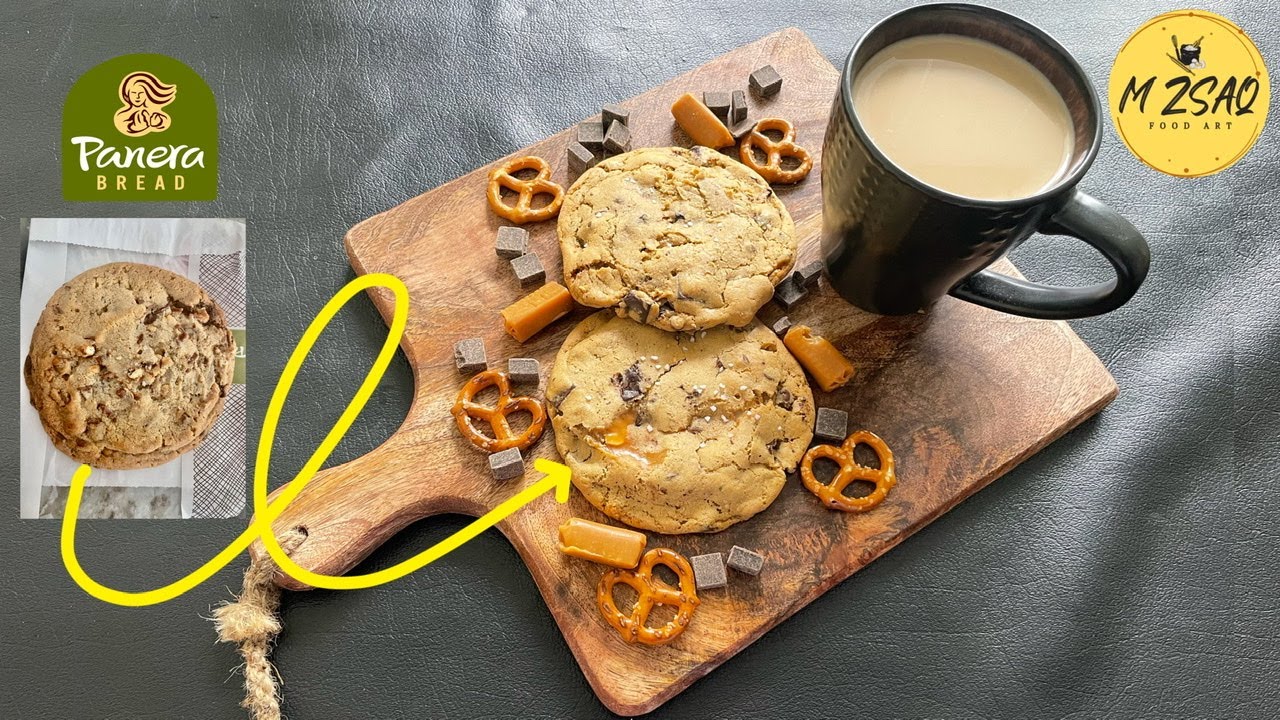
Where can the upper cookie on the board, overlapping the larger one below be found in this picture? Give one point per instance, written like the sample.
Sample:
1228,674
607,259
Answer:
676,239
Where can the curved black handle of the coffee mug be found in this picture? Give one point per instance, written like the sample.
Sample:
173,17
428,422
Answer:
1086,218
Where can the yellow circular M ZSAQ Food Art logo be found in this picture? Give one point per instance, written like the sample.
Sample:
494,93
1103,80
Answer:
1190,94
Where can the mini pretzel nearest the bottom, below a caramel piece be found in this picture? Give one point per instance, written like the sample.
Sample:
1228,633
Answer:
651,591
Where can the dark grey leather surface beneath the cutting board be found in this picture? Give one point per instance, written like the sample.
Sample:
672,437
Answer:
1130,571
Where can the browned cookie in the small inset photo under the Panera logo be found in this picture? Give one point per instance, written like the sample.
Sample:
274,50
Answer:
130,366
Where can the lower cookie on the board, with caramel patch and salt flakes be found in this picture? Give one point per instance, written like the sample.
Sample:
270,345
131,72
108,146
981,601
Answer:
679,432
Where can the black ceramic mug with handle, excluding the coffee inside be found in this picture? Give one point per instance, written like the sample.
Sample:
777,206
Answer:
895,244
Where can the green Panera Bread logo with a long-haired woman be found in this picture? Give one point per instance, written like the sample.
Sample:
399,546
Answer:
140,127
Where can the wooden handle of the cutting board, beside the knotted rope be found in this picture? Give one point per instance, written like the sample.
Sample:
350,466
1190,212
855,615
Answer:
350,511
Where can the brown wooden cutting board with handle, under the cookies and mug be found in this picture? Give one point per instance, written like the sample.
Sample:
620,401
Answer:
961,394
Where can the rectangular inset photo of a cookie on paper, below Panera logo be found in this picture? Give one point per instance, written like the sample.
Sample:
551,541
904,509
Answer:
131,367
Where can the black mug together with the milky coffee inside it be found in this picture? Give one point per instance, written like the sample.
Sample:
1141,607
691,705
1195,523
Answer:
958,133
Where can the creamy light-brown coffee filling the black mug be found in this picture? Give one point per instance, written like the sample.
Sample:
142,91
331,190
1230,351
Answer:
966,116
